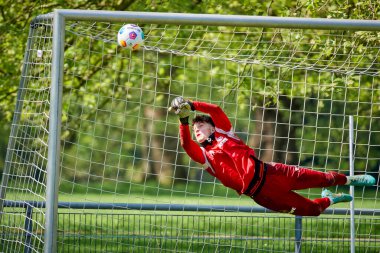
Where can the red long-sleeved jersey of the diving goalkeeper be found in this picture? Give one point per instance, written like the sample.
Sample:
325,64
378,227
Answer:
225,156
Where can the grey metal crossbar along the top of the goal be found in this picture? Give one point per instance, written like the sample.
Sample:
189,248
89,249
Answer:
215,20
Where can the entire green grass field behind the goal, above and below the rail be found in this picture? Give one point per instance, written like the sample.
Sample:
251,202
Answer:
170,231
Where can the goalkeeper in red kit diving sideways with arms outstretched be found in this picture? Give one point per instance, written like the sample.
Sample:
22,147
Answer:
231,161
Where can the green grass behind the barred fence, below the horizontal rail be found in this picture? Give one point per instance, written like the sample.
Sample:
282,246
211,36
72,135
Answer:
142,231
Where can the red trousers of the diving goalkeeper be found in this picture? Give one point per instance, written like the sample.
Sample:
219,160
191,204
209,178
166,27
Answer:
277,192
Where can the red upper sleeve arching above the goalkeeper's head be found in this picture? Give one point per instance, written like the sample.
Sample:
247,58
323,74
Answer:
218,116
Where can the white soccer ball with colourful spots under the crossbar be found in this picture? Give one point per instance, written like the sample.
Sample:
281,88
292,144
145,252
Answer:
130,36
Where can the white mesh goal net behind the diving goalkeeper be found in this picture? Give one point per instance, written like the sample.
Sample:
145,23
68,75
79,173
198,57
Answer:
125,183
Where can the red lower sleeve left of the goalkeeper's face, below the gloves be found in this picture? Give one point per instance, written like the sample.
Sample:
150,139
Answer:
190,146
